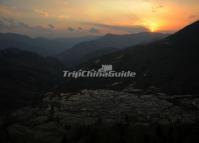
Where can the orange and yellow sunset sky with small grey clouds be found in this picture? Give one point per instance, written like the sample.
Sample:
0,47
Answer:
77,18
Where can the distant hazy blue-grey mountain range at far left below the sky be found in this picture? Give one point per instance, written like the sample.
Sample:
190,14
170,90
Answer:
42,46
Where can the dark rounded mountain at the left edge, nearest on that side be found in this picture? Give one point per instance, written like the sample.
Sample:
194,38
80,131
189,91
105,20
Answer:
25,76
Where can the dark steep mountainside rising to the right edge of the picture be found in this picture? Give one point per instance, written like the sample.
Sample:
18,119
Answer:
170,64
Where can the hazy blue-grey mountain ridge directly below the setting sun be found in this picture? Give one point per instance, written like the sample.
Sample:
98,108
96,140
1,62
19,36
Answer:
79,53
